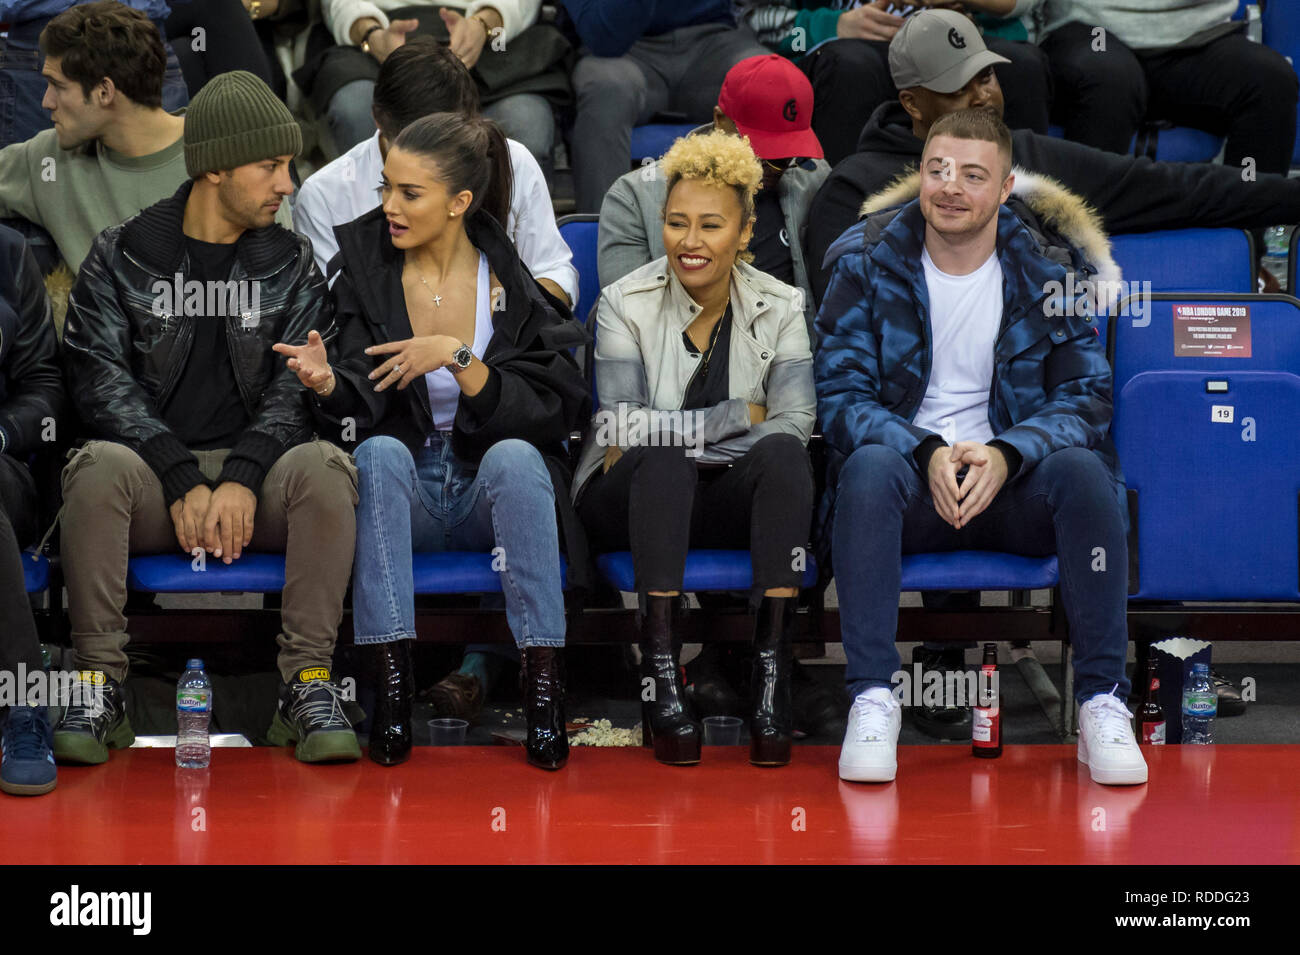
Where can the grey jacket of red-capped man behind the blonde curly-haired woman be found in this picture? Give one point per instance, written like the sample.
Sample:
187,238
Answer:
631,232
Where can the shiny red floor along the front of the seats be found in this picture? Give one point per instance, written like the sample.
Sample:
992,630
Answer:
1216,805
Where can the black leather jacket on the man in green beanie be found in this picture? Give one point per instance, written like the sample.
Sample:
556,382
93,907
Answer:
127,348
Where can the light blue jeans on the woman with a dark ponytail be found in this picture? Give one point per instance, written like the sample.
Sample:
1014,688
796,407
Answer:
436,502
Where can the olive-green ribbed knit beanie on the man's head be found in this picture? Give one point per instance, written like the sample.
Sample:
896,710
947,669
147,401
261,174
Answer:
236,120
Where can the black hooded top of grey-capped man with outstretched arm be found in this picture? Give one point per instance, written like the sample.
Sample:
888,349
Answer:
1133,196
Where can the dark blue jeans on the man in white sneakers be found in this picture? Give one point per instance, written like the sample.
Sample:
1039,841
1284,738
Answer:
1067,506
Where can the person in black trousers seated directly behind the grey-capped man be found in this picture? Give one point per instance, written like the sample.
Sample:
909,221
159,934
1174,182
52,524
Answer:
851,75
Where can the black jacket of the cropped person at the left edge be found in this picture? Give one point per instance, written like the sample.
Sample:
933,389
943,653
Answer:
32,388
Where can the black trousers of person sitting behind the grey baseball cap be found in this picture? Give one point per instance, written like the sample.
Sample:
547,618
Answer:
851,79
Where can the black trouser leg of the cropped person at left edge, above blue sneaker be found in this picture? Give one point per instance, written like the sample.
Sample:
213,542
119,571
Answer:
19,528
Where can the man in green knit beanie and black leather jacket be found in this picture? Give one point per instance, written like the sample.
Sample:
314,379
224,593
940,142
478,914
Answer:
203,439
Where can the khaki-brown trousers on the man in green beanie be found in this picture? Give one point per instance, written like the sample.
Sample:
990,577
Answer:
114,509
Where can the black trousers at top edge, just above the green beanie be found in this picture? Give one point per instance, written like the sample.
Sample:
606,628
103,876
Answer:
229,42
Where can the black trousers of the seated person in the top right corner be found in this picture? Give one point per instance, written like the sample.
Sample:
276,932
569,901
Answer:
1232,88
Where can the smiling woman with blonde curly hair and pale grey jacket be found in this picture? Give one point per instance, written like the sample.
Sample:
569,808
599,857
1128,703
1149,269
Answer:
707,405
